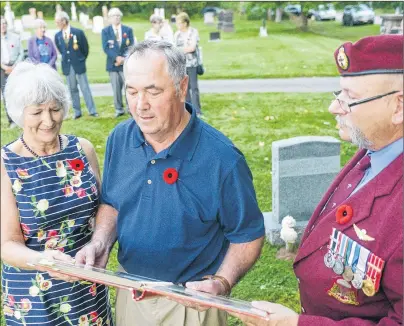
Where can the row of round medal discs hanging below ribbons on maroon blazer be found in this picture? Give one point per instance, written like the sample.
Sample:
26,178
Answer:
356,279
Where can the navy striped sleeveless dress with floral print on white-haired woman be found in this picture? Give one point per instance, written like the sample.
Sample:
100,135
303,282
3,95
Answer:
57,199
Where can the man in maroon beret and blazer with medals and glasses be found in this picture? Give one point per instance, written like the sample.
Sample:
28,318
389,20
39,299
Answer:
349,265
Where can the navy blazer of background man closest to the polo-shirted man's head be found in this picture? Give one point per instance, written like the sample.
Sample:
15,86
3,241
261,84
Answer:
111,48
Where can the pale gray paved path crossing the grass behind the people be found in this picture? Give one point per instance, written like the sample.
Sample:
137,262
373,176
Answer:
288,85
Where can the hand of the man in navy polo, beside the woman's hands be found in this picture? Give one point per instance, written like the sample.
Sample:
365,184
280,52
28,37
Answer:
94,254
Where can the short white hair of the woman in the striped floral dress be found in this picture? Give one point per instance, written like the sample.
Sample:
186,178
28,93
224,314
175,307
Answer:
34,84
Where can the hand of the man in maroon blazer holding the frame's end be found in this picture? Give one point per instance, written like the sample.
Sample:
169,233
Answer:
278,315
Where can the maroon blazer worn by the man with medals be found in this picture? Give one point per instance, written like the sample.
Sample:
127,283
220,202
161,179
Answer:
377,208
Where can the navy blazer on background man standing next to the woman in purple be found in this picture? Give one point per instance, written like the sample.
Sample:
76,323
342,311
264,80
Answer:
71,54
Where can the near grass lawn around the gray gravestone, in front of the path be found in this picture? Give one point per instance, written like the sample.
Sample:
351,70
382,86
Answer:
243,119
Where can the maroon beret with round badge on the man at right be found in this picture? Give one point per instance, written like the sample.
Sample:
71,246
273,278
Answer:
382,54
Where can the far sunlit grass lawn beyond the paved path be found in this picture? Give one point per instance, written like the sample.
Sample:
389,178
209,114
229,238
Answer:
286,52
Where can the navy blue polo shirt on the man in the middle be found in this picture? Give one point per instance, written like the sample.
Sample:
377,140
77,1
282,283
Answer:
179,232
